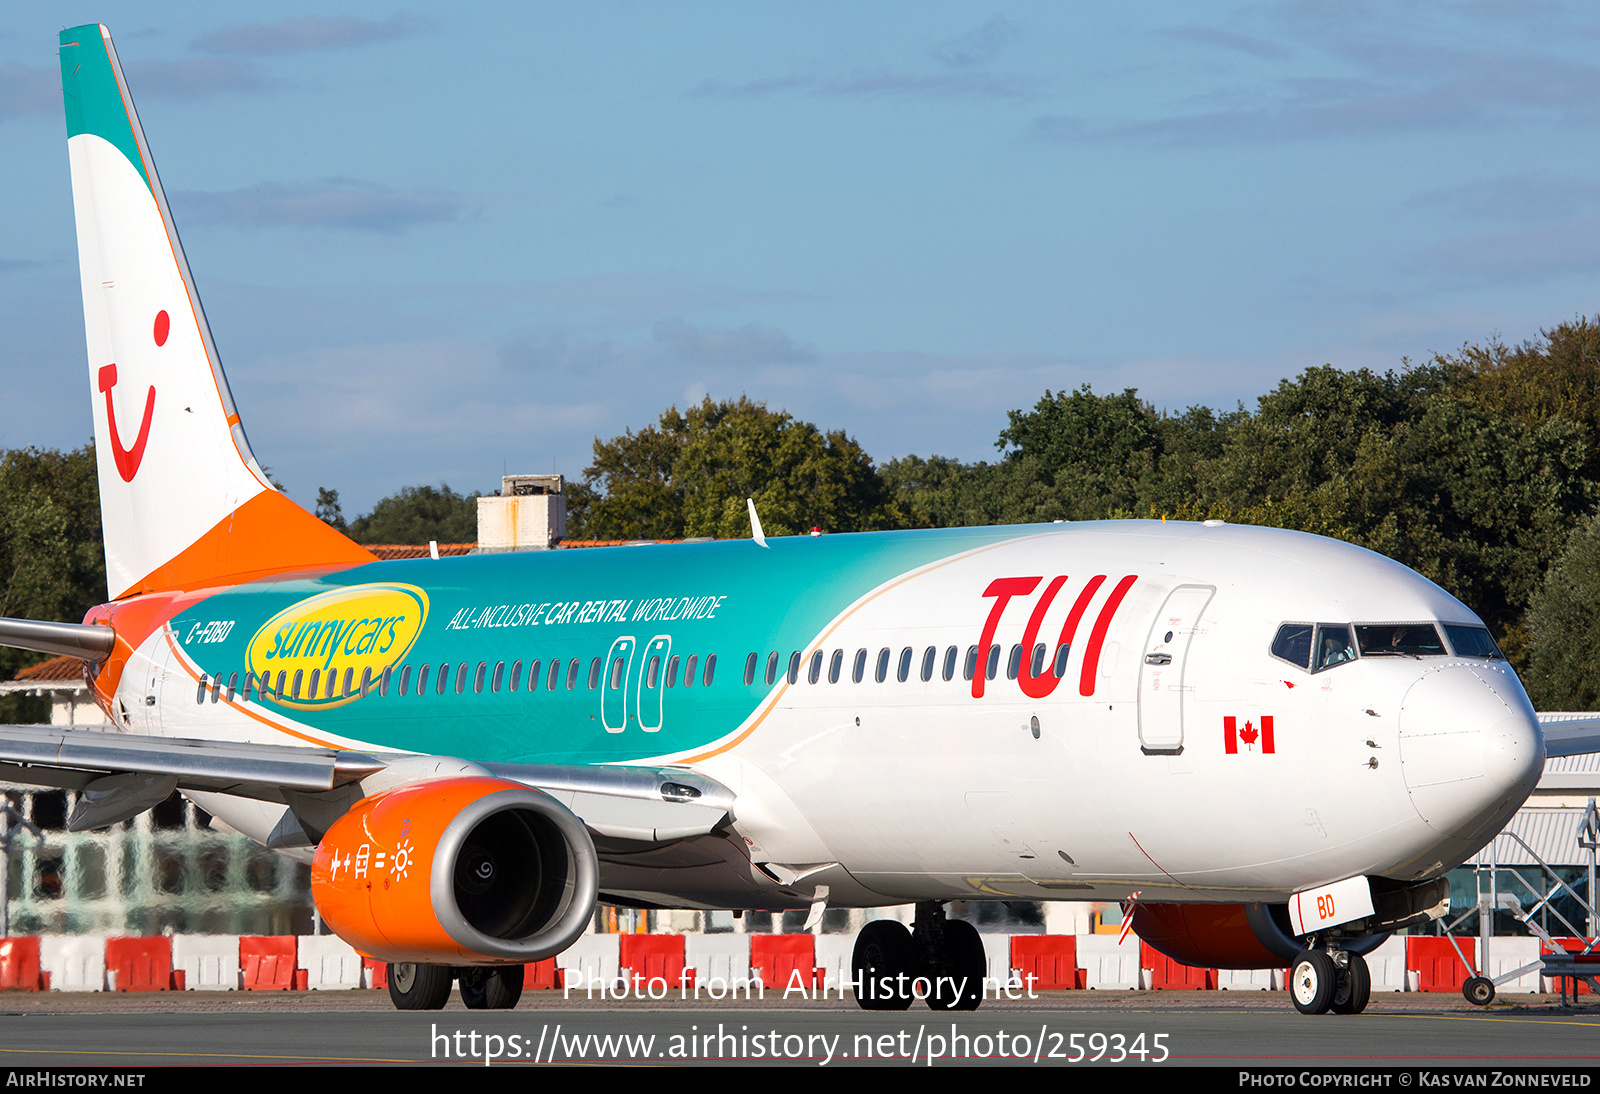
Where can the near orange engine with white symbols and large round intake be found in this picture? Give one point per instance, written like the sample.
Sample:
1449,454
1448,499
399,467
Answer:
470,871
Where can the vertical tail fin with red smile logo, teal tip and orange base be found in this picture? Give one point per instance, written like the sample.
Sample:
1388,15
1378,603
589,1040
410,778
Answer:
183,500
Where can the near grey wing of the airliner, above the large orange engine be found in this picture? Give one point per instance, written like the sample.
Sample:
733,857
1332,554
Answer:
124,775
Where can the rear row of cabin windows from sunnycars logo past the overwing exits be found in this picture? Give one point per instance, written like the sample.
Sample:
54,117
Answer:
404,682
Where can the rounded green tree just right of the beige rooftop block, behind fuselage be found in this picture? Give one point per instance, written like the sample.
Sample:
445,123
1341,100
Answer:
692,473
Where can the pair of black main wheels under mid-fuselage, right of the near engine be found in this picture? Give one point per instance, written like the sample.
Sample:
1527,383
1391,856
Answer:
938,960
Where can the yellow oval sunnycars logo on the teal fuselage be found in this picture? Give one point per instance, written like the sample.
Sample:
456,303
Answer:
306,650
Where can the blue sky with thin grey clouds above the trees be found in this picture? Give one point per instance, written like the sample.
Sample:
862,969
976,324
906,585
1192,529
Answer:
442,241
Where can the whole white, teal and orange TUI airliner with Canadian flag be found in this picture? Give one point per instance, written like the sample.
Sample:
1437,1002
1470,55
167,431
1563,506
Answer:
1278,741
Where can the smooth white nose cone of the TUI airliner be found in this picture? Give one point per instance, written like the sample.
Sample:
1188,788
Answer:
1470,748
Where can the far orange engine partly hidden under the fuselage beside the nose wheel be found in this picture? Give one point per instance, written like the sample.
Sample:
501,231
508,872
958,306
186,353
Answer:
1217,936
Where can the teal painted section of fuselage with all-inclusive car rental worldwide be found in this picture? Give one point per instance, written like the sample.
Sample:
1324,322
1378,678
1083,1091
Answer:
726,599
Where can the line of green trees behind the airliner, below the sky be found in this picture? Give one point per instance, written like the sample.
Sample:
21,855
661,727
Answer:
1479,469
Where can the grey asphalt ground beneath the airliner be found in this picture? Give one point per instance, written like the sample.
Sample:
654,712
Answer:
1068,1029
